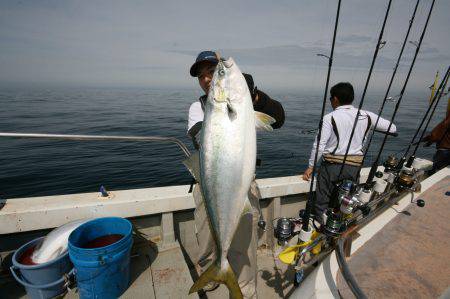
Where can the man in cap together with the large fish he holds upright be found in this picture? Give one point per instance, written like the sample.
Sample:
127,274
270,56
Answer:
237,157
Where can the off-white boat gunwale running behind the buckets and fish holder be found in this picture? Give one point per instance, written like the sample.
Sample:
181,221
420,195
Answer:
164,213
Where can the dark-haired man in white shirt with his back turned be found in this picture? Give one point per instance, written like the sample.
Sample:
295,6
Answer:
336,130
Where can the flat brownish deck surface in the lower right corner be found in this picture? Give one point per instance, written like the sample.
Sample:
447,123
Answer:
413,239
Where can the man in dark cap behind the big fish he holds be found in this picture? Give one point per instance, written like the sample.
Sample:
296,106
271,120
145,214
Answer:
242,254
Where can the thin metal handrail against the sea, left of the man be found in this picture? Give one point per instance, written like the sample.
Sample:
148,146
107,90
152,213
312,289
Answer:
101,137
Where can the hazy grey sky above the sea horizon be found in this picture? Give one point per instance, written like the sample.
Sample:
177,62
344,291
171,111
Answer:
153,43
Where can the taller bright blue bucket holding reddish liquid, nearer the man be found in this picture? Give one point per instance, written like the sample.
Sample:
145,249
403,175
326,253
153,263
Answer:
102,272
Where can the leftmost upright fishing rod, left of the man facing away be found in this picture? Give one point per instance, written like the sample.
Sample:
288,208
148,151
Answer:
311,197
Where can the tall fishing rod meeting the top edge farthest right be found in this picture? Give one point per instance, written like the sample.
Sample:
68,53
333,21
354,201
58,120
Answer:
402,92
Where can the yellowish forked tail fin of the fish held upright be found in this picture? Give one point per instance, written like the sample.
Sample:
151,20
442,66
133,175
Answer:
216,273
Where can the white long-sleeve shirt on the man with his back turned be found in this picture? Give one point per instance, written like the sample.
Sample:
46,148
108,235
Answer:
344,117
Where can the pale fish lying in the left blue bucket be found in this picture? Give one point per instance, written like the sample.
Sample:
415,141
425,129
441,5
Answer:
55,243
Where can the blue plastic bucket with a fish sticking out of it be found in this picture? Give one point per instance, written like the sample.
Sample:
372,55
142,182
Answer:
46,280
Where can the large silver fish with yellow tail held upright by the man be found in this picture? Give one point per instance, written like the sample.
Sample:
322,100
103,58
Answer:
227,164
